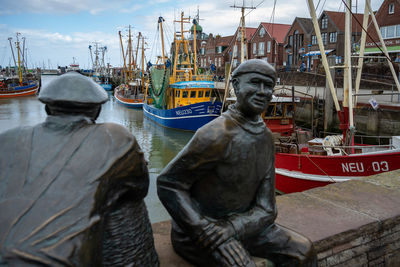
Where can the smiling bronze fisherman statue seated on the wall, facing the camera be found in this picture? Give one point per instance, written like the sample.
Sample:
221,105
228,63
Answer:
219,190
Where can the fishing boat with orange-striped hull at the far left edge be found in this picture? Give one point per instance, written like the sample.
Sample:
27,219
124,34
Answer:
23,83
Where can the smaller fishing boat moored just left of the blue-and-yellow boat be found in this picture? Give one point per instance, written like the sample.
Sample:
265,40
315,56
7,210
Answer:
131,93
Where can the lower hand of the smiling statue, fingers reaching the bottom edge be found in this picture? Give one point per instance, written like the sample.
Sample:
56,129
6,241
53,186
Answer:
232,254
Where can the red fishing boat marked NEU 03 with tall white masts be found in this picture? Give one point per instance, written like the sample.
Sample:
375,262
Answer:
306,162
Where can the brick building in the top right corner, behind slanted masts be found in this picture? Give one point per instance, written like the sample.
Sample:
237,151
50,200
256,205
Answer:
388,18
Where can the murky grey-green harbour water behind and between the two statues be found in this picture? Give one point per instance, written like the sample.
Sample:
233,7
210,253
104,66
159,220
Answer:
159,144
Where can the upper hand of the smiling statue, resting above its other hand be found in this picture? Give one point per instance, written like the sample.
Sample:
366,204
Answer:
214,234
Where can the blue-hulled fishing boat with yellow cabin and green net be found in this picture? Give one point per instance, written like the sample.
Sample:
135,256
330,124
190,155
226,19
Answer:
181,98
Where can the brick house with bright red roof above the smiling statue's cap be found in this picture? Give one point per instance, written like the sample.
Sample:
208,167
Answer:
268,42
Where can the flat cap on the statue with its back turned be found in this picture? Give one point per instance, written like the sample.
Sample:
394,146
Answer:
74,88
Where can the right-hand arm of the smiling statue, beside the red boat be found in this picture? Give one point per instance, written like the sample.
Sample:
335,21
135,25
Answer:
264,211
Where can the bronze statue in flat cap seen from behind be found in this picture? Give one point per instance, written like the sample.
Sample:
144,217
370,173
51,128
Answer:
71,191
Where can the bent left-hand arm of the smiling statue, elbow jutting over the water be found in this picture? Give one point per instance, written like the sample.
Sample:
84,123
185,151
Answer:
176,180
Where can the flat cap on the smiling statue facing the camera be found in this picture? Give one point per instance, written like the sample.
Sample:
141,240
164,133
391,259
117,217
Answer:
255,66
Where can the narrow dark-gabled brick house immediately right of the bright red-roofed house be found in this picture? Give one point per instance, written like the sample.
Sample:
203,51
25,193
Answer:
297,42
